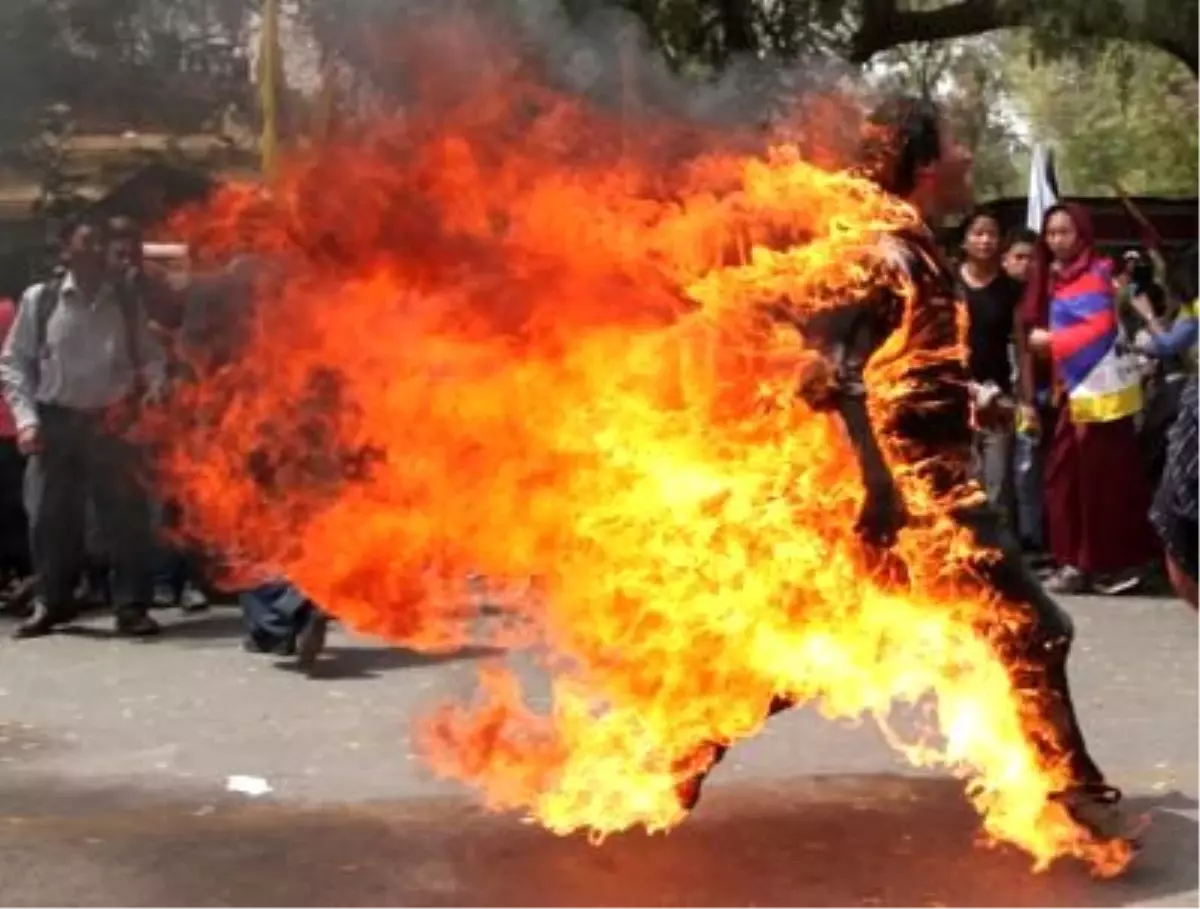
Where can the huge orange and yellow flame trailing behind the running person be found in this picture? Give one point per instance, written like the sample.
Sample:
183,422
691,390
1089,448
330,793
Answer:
551,334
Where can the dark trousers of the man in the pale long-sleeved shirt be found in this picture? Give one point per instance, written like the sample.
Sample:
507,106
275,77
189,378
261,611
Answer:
82,462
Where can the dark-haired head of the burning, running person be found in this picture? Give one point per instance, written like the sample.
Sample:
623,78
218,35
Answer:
914,155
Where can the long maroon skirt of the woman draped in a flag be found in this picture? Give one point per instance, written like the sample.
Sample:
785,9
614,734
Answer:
1099,498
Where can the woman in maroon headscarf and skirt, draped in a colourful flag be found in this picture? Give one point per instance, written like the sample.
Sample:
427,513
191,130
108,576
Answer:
1096,493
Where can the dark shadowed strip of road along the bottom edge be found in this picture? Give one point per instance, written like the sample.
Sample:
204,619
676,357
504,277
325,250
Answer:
825,844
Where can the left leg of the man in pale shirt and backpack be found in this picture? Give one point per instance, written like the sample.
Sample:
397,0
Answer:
56,497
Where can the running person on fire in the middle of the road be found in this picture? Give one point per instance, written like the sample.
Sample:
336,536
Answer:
925,432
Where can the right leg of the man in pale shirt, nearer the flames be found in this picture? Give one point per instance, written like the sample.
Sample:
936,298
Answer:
123,517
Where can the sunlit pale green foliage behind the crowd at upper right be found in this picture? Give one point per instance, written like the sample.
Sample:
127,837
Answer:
1126,116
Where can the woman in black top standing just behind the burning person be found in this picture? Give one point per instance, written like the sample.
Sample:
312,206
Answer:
992,298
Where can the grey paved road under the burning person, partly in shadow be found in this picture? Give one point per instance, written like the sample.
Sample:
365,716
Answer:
115,758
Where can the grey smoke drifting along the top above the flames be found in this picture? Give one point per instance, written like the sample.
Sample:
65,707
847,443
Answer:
604,55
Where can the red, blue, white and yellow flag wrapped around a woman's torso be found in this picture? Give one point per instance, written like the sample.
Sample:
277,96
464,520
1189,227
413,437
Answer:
1103,384
